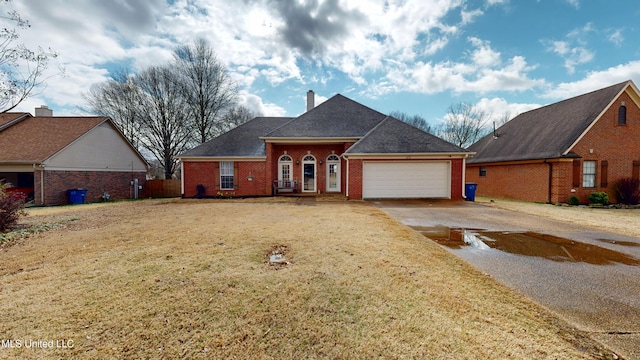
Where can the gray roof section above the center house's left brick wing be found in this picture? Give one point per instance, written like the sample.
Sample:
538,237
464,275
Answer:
243,140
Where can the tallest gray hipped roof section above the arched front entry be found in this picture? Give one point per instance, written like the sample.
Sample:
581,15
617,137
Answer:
337,117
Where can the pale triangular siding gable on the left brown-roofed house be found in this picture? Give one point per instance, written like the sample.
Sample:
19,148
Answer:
101,149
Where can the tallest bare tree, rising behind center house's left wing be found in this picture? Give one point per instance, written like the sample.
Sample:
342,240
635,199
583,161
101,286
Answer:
208,89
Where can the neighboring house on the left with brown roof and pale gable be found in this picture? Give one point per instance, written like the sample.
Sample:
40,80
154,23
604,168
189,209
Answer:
47,155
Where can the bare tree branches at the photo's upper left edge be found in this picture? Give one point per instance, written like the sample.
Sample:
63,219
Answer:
21,69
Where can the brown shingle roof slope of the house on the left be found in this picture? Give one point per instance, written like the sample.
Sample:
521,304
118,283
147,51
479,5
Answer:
34,139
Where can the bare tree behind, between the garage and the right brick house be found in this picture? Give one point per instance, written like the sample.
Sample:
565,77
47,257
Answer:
464,125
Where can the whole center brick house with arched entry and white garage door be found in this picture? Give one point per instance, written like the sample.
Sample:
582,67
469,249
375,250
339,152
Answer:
339,147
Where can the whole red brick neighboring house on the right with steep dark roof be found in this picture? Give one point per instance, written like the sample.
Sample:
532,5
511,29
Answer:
574,147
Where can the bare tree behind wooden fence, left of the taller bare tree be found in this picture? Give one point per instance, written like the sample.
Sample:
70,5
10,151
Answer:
165,130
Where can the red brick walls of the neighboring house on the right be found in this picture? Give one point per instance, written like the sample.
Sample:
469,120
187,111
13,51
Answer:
618,145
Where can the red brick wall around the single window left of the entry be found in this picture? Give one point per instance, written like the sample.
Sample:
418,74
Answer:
206,173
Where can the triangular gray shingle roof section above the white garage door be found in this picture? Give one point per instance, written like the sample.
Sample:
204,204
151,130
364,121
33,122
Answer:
393,136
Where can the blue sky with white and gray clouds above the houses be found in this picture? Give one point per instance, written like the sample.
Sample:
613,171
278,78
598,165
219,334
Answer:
418,57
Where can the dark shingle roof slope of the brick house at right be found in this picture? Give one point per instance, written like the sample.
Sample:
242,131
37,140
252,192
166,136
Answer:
547,132
